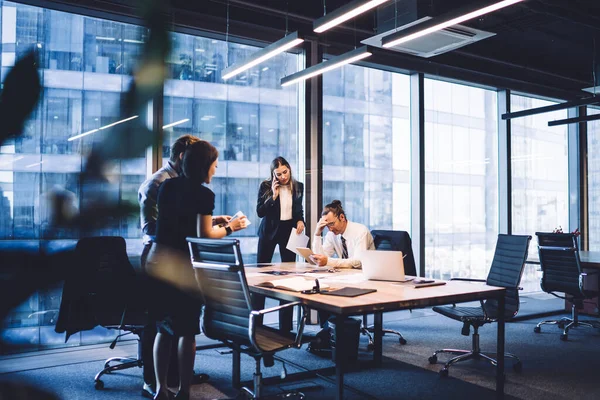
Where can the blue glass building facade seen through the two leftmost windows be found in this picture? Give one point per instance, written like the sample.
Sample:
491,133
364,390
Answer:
85,71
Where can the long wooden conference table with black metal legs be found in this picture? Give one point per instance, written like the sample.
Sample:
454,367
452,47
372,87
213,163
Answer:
388,297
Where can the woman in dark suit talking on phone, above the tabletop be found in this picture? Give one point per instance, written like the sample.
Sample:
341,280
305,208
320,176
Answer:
279,205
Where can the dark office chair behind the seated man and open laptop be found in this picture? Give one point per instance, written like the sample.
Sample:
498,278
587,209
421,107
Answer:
391,241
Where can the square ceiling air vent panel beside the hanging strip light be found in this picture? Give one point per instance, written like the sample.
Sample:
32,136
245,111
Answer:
435,43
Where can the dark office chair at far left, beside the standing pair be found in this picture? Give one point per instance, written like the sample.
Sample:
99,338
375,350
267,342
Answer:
100,289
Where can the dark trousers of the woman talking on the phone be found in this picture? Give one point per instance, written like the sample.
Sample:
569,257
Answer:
266,248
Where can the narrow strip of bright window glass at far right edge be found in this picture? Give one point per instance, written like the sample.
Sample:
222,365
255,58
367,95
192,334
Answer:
593,176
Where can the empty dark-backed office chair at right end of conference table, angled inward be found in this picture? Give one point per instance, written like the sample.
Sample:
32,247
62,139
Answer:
506,271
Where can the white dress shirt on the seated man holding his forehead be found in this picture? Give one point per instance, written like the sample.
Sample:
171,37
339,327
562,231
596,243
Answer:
357,238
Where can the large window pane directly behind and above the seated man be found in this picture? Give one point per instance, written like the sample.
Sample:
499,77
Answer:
366,145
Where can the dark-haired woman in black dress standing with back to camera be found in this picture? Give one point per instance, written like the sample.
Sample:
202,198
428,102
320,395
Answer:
185,208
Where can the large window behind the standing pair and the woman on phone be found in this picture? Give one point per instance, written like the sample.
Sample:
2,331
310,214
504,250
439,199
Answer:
250,118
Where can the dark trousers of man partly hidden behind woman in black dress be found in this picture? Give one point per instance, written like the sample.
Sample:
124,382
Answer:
147,339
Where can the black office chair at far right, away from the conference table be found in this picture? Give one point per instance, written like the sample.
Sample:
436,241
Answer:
561,272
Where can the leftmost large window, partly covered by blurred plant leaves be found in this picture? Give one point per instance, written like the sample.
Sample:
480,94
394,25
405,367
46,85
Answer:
84,66
